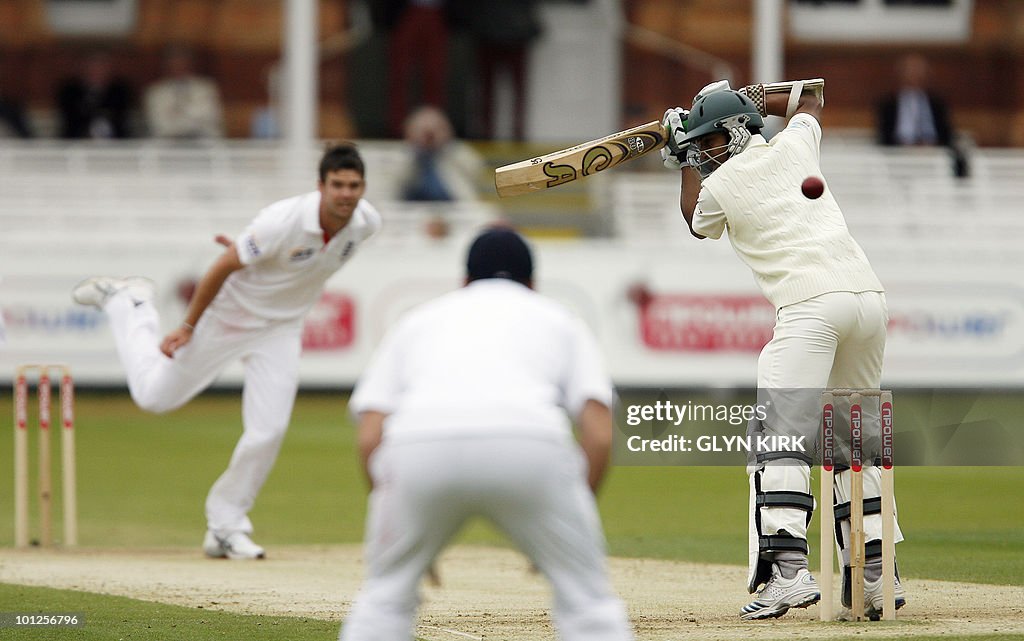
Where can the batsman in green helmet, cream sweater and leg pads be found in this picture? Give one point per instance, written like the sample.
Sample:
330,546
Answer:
831,311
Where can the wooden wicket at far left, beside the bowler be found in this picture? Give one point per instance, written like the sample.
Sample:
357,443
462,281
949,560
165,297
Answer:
70,512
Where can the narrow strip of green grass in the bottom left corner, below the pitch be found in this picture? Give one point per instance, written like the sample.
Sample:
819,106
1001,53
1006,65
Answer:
118,618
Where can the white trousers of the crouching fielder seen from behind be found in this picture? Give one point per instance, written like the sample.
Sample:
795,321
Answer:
533,490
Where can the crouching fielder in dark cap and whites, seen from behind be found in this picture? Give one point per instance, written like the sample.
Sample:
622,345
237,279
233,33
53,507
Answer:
462,413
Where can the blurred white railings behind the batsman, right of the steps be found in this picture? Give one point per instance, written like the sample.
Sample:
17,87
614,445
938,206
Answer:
893,200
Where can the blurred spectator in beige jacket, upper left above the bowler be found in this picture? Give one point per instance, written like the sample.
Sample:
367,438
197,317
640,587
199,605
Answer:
184,105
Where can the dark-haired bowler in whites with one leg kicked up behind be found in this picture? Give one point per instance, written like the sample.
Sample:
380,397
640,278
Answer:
249,307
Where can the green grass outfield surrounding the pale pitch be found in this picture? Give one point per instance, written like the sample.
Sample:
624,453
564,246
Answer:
143,481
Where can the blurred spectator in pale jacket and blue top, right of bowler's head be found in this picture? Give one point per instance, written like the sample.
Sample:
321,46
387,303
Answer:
439,167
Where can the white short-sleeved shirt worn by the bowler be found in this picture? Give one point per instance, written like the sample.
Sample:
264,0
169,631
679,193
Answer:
287,263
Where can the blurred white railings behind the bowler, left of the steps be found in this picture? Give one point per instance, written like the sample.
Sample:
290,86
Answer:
111,194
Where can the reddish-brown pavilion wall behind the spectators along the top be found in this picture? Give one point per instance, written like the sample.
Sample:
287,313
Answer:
237,41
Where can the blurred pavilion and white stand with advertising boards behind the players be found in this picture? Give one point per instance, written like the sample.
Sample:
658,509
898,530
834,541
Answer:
670,312
